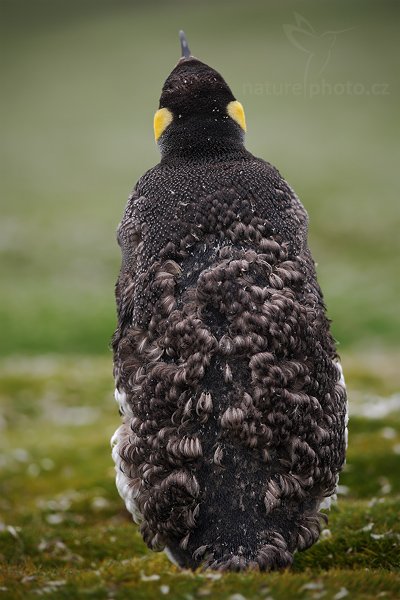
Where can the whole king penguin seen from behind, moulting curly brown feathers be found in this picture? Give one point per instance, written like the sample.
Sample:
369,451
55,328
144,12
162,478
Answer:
232,396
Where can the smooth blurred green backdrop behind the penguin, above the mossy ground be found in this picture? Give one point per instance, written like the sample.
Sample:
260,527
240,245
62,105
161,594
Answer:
80,84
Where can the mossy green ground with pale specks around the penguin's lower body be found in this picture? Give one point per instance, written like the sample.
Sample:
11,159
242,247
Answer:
64,532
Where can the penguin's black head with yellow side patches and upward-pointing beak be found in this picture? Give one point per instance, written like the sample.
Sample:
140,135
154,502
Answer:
198,111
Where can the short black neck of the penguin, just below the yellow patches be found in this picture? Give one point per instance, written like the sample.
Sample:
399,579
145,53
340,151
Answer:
201,143
